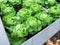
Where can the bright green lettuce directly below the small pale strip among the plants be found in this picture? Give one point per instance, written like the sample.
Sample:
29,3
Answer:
44,18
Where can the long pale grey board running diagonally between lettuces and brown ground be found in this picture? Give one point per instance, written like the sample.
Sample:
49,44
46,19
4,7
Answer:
44,35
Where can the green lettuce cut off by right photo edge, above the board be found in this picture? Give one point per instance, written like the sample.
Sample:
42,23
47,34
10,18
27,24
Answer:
55,11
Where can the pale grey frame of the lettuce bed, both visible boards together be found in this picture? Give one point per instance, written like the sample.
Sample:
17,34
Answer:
38,39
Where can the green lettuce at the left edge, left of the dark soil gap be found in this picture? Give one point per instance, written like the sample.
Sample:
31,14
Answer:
7,10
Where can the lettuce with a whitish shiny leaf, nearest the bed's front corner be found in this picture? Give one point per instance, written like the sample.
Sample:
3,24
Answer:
20,30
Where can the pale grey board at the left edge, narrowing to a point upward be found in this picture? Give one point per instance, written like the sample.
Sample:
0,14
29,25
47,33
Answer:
3,37
